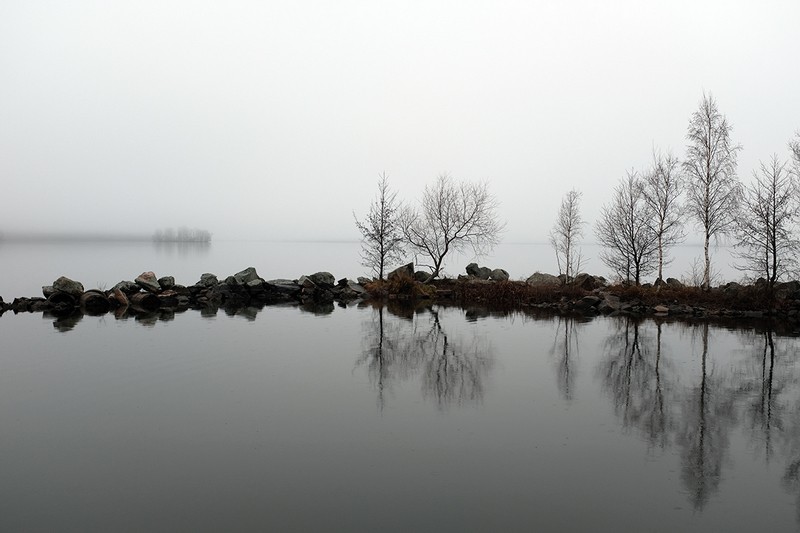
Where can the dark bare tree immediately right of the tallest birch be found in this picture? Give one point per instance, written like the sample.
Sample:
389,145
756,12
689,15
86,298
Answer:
766,227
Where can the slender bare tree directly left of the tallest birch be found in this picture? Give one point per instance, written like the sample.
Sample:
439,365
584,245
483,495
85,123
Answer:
662,190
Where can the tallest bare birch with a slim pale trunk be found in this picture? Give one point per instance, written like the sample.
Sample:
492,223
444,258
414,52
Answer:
710,166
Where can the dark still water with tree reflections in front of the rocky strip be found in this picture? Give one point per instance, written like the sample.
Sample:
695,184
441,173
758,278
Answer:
384,419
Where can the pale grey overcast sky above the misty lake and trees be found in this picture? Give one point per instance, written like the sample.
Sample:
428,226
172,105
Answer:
274,119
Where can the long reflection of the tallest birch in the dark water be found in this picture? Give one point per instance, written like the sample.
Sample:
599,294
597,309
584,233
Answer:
708,417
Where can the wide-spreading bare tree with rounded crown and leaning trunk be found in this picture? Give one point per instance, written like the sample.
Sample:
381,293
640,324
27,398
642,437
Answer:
452,217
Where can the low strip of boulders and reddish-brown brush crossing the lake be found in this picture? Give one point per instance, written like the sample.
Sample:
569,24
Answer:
246,293
